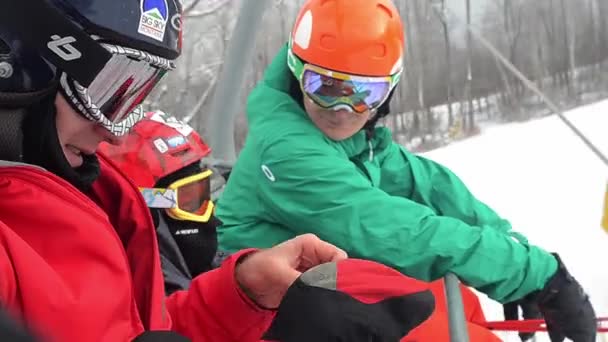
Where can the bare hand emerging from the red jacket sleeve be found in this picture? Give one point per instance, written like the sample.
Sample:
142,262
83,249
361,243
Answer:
266,275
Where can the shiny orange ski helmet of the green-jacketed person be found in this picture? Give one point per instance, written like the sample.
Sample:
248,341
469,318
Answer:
360,37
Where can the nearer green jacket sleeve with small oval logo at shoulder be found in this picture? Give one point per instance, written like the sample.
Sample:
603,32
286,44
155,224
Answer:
310,188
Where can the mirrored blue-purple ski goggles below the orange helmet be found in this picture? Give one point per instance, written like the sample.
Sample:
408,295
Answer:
335,90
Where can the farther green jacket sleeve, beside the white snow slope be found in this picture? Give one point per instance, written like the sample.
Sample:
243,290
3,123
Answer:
433,185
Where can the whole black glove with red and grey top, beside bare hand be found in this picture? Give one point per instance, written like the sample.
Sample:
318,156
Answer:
351,301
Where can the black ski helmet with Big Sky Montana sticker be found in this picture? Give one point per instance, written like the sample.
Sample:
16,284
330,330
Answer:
40,37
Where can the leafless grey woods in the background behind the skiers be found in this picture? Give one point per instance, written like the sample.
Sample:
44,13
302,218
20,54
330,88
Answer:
552,42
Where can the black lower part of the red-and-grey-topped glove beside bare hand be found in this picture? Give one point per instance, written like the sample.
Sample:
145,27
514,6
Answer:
309,313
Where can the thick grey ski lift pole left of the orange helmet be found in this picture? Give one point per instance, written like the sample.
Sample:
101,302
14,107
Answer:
225,102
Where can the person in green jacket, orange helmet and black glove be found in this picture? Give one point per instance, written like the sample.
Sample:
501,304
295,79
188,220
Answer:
314,161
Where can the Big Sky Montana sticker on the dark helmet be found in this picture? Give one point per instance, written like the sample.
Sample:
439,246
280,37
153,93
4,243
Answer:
153,18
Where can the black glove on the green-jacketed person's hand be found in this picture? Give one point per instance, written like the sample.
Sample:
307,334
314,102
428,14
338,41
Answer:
566,308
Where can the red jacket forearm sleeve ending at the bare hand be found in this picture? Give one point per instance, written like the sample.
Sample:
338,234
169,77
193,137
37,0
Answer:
215,309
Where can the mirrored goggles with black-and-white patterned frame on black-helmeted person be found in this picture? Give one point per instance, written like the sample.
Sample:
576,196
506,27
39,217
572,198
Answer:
113,98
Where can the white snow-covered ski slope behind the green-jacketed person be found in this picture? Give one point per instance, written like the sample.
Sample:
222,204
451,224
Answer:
541,177
